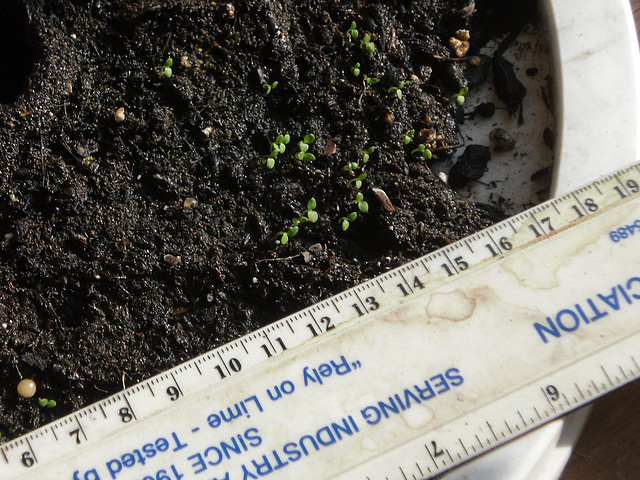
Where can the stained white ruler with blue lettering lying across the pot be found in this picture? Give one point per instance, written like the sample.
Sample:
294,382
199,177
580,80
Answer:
402,377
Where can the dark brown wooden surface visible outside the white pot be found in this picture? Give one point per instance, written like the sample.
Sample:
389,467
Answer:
609,447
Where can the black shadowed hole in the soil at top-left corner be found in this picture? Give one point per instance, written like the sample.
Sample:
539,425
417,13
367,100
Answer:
19,51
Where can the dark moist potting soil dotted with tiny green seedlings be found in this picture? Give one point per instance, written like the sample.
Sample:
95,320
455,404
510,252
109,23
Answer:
139,220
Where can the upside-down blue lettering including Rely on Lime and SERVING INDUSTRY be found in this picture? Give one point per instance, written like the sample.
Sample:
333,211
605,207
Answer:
210,463
